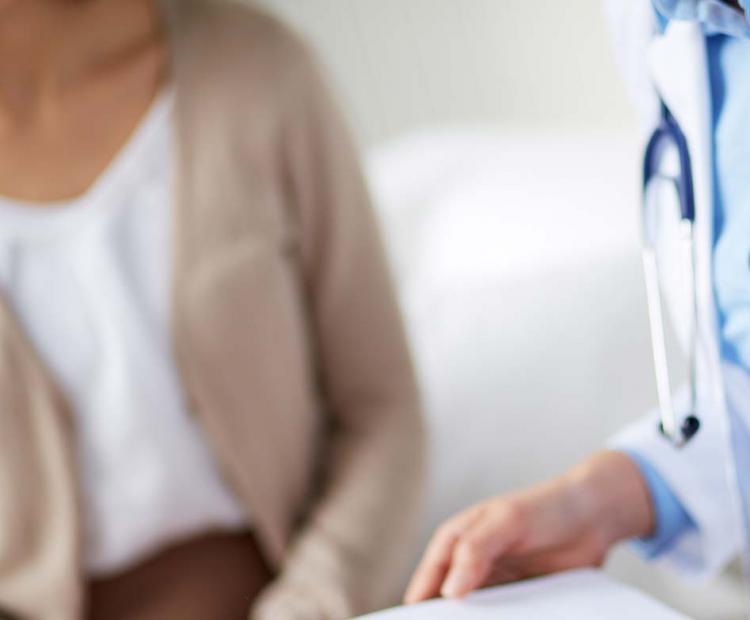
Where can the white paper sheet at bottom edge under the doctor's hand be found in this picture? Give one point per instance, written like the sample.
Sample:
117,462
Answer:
575,595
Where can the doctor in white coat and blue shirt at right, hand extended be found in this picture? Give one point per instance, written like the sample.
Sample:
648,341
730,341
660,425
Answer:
687,505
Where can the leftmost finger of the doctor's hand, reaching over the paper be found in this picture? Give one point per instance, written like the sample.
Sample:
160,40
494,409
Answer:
434,566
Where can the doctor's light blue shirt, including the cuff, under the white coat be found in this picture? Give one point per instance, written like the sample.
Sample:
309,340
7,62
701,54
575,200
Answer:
728,47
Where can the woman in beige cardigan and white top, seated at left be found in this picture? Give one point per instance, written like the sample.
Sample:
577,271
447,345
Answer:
206,404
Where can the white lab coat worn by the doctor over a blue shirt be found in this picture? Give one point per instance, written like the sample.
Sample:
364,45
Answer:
702,474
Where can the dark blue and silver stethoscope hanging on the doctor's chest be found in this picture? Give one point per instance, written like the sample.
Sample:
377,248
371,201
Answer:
677,429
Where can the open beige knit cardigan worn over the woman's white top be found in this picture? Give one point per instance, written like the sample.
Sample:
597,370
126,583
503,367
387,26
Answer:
286,333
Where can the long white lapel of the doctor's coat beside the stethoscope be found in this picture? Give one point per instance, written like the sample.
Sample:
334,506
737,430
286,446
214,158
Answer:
679,70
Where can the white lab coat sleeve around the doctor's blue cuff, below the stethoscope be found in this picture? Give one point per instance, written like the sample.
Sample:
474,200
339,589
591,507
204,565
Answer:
698,475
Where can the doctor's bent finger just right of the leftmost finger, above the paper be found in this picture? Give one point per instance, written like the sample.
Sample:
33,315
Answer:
502,527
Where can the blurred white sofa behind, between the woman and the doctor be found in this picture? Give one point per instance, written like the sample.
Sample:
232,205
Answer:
516,256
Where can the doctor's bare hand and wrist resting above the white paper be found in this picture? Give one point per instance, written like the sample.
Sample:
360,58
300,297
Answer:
569,522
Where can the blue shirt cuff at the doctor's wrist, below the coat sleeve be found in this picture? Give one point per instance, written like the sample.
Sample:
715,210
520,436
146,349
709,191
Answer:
672,520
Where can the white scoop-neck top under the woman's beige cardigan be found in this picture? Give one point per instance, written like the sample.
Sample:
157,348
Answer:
90,282
